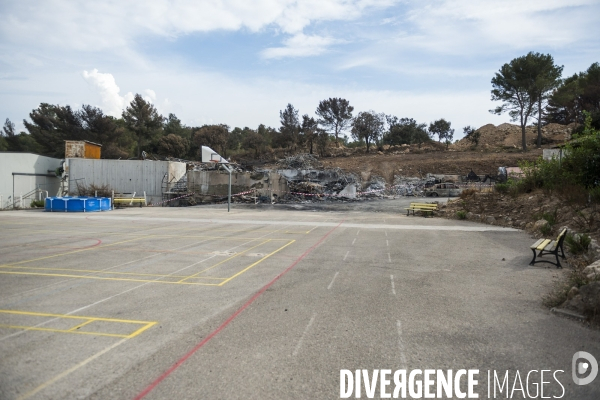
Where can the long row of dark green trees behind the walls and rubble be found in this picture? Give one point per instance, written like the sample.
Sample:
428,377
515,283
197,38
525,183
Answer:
142,129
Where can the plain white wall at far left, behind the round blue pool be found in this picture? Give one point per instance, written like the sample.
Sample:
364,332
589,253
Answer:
26,163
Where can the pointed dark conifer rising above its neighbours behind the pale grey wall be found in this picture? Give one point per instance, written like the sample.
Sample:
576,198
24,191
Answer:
143,120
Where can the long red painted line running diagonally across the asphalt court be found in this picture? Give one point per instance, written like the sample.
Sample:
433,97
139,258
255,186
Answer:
168,372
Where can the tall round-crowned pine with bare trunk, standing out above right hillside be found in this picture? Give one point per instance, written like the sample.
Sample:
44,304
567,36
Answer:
519,85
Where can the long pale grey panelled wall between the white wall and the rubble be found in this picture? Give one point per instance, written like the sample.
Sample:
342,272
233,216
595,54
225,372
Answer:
124,176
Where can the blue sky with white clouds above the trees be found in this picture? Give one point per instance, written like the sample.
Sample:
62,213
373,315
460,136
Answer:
239,62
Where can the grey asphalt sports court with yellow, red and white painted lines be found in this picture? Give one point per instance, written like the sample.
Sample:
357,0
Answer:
270,302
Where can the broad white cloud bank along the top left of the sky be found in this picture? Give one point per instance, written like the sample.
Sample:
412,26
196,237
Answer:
116,24
